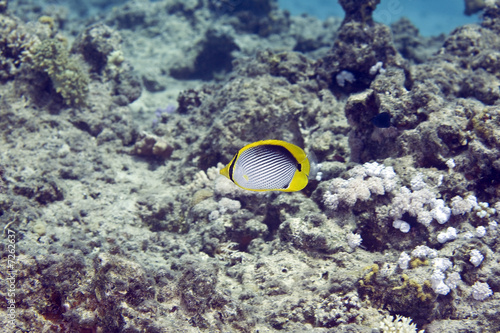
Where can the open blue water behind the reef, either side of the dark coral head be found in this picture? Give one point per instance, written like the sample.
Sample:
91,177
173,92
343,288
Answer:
431,17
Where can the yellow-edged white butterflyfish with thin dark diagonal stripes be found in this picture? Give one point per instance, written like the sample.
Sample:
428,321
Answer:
269,165
